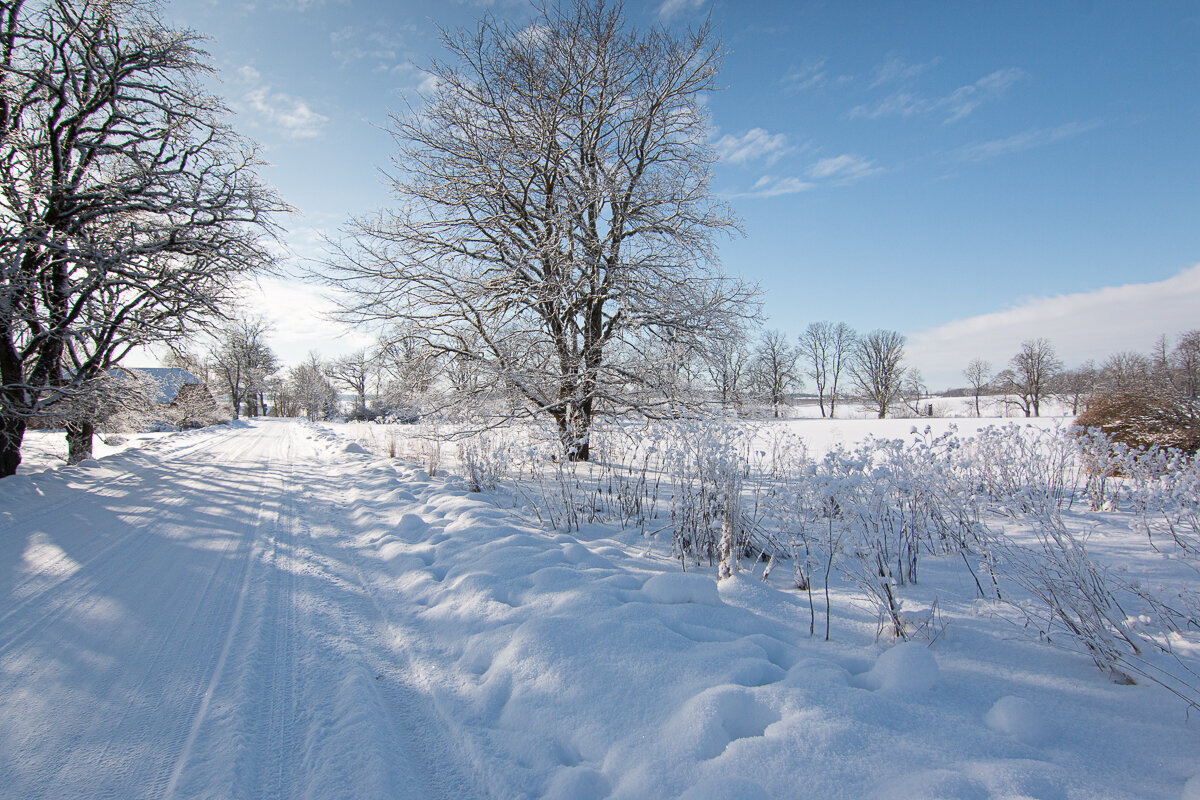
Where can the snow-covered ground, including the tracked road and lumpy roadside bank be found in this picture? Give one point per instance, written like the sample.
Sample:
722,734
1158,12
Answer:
278,610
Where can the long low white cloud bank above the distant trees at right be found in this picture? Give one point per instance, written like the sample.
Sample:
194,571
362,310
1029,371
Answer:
1083,326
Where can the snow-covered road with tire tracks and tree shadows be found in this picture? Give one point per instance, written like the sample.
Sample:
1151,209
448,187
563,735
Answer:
194,622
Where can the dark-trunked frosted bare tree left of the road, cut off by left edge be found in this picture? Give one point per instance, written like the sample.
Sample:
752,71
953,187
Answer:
128,207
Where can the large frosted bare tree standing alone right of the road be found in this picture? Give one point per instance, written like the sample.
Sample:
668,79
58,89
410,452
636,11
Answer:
554,213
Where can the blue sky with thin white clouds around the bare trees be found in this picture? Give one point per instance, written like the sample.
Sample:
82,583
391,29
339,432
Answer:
970,175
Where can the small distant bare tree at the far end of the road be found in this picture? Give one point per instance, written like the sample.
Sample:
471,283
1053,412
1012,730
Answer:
242,360
